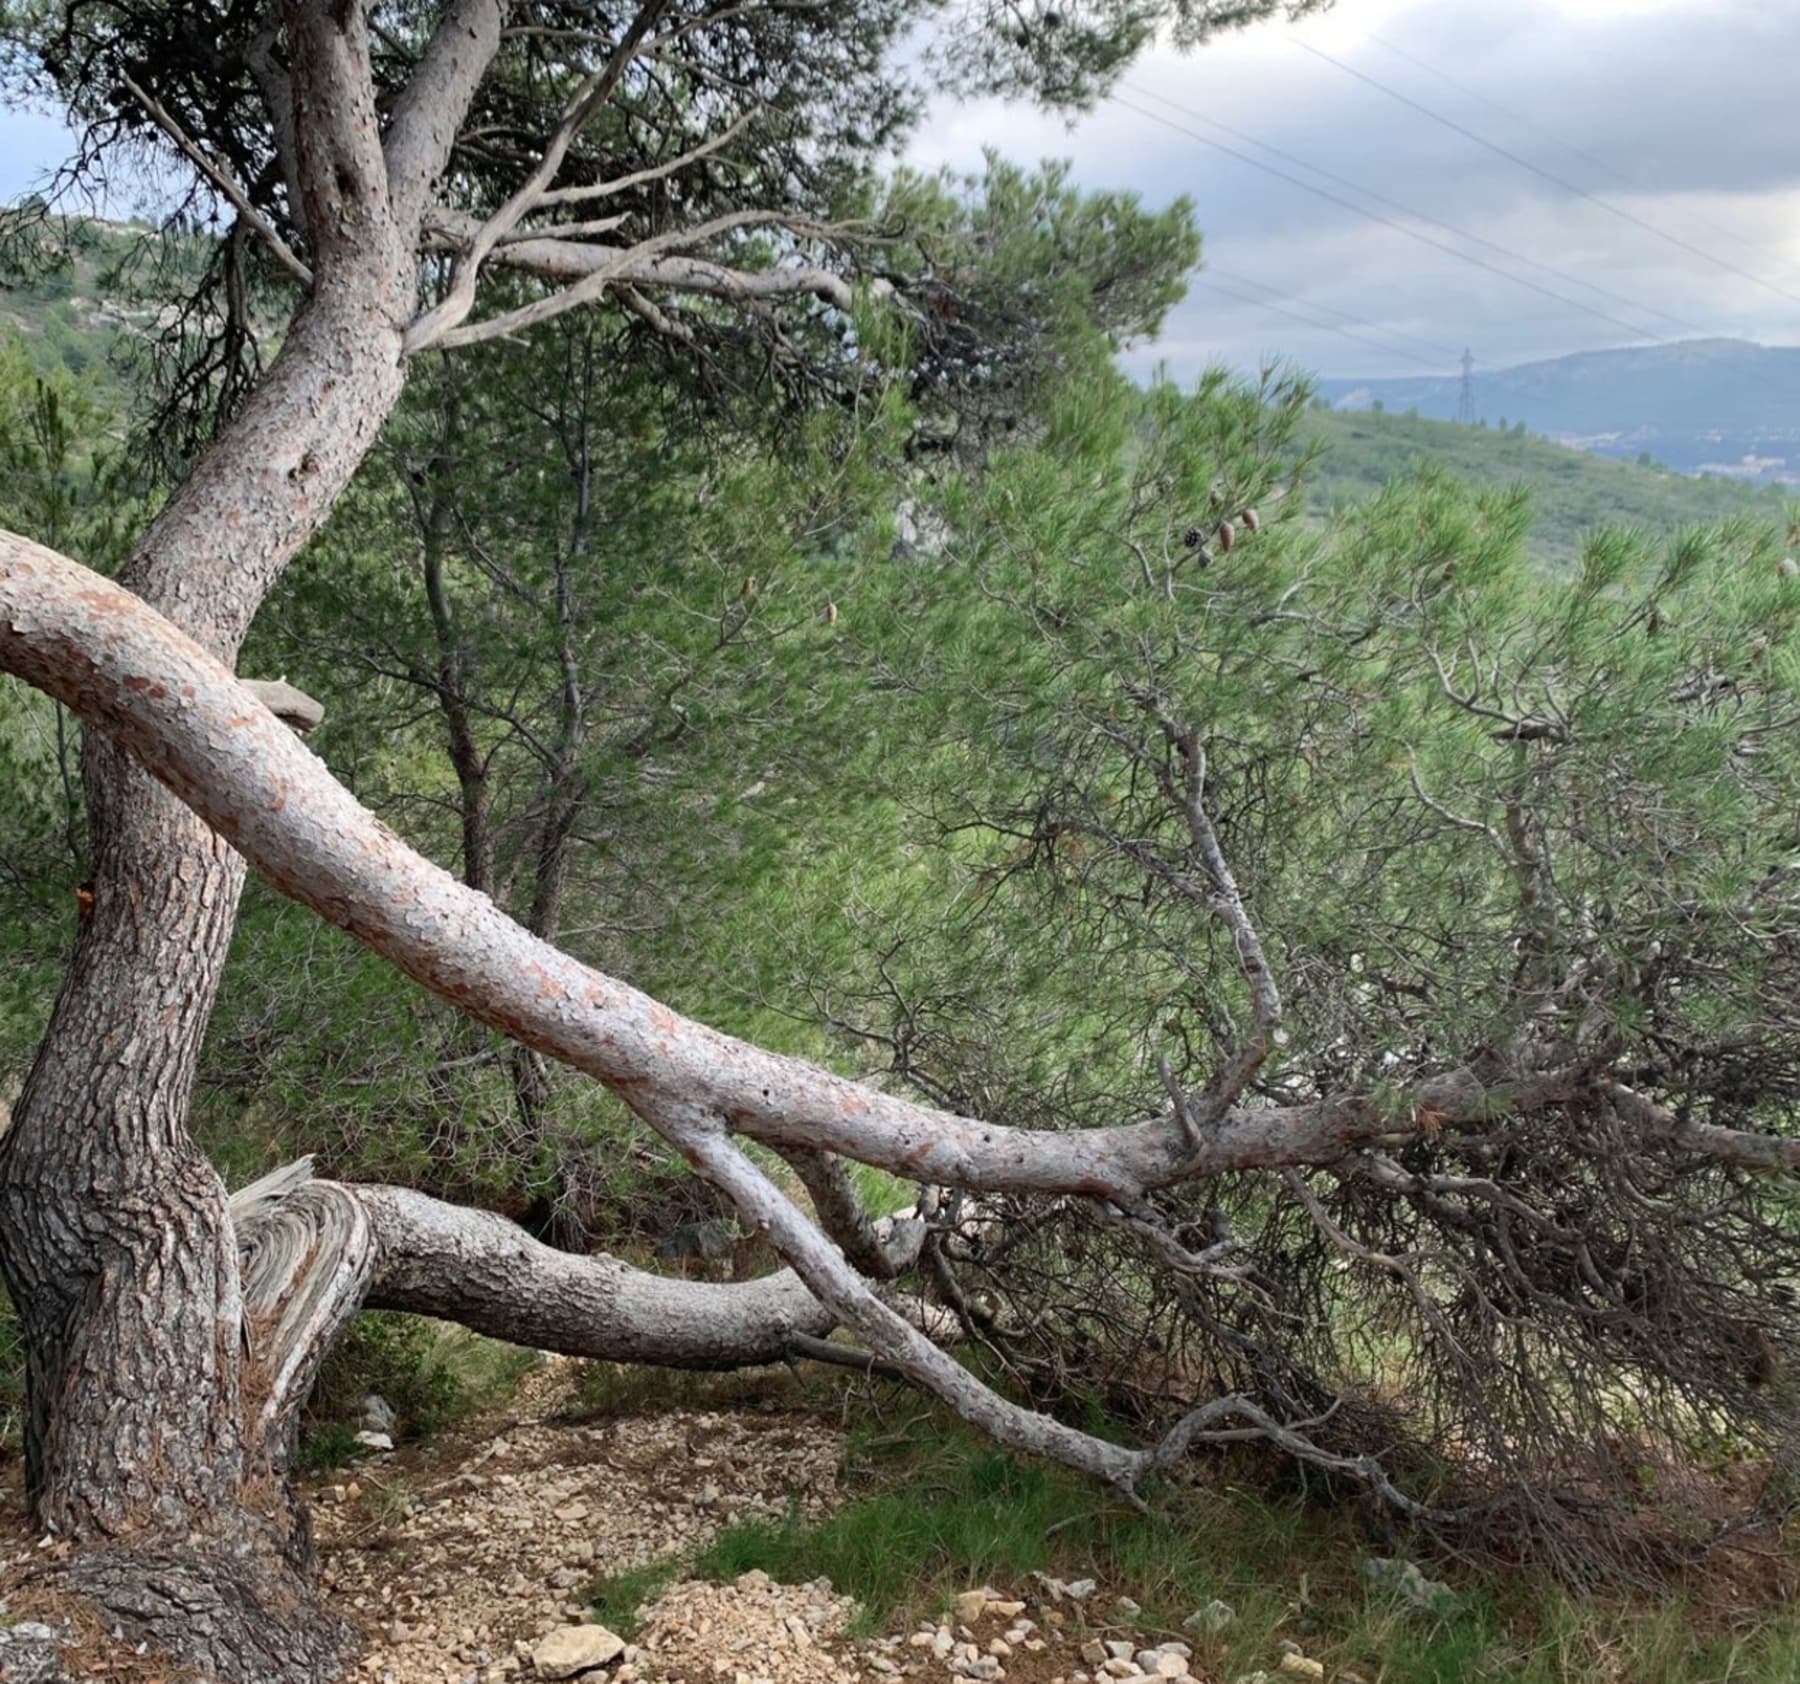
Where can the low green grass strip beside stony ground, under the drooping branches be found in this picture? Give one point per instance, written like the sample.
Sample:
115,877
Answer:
944,1510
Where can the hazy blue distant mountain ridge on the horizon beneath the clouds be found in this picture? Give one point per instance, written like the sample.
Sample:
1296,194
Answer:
1714,406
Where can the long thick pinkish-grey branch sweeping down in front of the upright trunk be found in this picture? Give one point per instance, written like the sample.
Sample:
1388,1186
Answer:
130,674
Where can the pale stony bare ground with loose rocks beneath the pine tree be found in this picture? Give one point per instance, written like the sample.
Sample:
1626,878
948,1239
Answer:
472,1561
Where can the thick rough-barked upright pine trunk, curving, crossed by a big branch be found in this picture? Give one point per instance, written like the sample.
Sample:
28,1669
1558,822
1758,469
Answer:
116,1239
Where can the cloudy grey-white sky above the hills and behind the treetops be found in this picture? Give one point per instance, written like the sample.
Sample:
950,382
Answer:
1677,116
